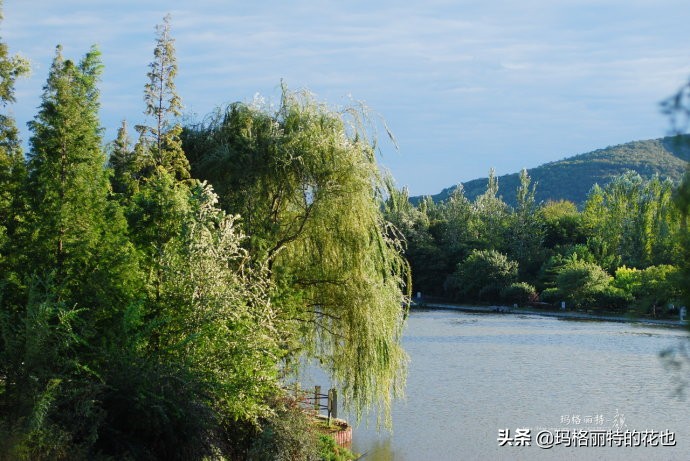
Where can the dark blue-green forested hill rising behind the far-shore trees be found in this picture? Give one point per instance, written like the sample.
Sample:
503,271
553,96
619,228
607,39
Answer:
573,177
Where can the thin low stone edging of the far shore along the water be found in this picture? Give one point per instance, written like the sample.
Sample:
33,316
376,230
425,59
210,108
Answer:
557,314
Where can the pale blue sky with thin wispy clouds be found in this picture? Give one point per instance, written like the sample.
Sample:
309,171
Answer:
464,85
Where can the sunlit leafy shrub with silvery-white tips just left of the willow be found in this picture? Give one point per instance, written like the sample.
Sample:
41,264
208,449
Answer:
214,312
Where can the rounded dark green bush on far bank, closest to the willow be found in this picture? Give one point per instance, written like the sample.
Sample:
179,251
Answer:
482,276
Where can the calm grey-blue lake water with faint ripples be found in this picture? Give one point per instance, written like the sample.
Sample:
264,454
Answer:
473,374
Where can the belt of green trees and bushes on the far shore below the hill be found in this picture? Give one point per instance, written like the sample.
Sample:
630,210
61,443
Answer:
622,251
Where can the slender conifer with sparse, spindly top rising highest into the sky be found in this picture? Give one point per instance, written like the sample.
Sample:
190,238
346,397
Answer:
161,201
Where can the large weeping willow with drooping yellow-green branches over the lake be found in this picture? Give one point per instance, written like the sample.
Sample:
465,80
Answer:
306,183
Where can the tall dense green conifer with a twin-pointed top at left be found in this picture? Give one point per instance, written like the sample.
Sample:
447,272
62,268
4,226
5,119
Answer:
78,234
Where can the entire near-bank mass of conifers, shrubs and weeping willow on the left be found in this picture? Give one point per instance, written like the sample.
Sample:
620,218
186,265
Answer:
157,295
